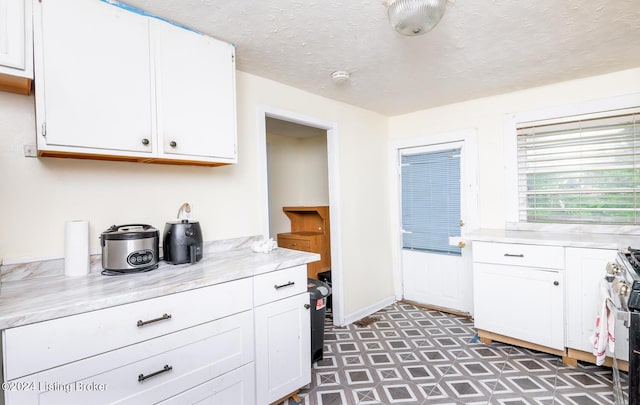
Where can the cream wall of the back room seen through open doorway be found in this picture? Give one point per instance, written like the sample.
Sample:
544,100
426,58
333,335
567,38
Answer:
298,176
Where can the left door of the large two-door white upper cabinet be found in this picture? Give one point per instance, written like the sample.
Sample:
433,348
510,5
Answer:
93,77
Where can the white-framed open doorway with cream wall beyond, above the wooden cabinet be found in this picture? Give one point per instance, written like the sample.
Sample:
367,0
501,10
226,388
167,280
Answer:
300,168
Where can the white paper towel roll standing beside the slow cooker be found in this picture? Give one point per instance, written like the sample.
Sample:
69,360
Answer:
76,248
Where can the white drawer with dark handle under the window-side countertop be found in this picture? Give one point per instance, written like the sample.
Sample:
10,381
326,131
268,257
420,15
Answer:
551,257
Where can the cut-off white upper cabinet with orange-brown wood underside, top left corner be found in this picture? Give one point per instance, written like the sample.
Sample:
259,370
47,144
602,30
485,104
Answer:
16,56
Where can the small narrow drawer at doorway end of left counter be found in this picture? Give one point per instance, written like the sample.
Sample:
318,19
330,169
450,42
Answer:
279,284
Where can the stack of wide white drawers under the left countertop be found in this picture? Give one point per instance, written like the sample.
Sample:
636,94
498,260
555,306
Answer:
201,337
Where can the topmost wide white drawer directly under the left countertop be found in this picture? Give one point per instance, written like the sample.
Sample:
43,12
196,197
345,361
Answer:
48,344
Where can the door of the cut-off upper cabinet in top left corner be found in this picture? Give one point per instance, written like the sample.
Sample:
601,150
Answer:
12,34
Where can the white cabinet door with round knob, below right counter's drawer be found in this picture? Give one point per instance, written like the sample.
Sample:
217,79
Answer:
520,302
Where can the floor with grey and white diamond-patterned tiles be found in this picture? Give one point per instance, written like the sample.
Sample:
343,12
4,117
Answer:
417,356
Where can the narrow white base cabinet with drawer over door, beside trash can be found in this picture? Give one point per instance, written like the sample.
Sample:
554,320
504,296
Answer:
283,334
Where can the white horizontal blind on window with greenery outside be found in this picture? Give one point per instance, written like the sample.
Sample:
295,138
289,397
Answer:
581,169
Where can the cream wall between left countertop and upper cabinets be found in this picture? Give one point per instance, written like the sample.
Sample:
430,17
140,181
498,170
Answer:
39,195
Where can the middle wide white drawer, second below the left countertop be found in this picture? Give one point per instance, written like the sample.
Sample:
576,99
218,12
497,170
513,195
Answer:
151,371
